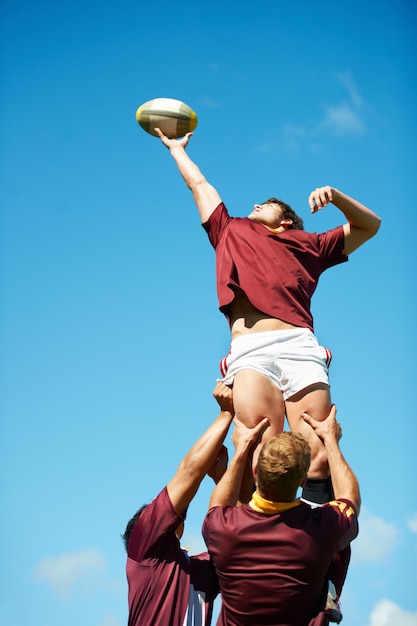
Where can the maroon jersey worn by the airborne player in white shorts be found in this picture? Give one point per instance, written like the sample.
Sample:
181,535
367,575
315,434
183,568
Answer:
278,272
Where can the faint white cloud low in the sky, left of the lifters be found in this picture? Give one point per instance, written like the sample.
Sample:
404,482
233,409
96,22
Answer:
64,571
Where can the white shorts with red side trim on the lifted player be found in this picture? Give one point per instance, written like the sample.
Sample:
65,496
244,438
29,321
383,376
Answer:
291,359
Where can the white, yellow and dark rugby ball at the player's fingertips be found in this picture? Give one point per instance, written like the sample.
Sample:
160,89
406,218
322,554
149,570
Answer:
173,117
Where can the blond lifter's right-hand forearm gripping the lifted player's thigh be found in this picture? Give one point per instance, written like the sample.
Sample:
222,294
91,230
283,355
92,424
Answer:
344,481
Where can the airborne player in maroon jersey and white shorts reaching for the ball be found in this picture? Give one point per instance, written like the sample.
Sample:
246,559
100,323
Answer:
267,271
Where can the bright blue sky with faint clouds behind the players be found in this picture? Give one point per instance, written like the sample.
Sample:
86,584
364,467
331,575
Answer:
110,333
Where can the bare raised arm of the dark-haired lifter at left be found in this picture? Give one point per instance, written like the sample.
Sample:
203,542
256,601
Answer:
204,455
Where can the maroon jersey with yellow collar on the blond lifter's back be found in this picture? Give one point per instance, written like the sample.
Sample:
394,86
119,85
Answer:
272,569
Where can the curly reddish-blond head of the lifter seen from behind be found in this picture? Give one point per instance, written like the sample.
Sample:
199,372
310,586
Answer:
282,467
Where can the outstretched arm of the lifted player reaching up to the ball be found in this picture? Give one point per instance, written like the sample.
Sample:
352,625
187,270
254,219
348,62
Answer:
205,195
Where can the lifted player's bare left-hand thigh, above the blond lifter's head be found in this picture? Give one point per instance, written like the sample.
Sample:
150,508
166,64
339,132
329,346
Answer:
256,397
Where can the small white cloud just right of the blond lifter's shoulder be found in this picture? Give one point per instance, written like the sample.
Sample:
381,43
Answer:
376,540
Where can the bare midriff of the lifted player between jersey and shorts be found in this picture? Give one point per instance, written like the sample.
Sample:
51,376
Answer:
245,318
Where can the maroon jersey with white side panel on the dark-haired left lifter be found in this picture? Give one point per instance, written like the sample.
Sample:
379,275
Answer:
166,586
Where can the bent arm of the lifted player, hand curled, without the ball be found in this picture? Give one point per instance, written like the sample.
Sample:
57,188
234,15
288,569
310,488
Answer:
362,223
